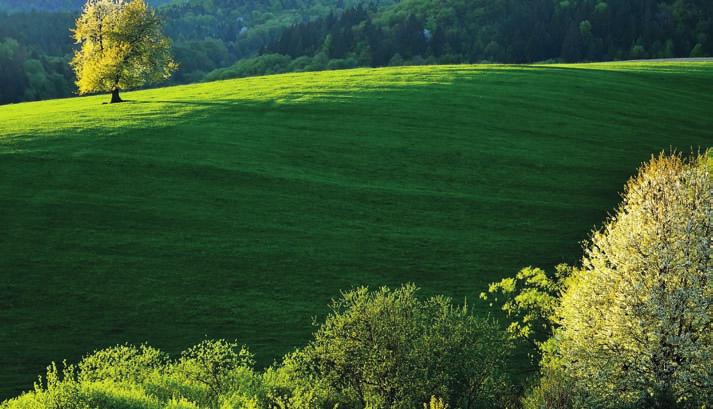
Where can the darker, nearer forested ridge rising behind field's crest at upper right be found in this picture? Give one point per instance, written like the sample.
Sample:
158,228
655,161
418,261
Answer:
508,31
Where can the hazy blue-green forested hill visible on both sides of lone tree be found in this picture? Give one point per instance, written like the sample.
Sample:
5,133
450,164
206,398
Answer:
35,46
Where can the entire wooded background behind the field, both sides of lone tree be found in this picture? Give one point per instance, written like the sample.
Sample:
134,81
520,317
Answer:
233,38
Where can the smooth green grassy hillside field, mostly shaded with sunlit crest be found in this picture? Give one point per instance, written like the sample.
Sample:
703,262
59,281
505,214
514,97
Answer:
237,209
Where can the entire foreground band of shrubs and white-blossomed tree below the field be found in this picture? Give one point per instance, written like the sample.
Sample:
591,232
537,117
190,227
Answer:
629,327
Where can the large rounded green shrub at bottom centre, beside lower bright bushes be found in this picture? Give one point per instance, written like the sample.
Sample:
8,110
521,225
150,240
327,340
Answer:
388,349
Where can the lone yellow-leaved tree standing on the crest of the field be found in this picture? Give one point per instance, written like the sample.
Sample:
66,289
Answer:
122,47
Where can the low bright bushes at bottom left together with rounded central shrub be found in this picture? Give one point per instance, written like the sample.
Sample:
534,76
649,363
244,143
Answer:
432,347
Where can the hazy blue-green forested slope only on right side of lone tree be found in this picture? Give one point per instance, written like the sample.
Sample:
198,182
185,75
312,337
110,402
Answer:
209,34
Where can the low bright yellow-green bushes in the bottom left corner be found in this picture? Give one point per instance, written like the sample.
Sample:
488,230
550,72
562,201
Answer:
212,374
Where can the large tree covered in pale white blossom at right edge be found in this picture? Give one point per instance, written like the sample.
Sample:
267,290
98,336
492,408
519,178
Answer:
636,322
